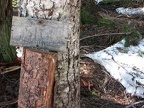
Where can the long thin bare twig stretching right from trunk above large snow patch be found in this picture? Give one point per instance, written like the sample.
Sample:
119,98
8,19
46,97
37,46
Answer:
99,35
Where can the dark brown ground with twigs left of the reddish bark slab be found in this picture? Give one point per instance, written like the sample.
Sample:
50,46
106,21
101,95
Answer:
9,84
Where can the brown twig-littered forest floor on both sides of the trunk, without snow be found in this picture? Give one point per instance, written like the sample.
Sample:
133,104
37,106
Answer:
98,88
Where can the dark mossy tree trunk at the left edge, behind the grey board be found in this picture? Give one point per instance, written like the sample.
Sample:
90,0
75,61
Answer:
7,52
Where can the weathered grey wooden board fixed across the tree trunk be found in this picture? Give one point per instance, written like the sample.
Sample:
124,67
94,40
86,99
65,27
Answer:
39,33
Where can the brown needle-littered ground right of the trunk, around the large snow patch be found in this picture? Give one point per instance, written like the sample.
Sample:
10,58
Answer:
98,88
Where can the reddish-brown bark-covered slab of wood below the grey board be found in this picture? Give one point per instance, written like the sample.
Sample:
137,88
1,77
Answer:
37,79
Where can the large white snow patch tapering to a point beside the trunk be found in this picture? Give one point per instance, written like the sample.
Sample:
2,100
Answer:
125,64
